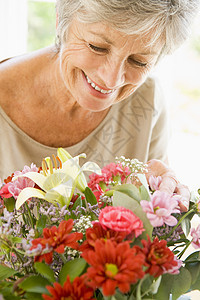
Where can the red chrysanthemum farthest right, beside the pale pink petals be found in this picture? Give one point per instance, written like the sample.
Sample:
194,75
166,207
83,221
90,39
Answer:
159,258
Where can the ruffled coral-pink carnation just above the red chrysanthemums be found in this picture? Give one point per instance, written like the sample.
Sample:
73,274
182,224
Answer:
121,219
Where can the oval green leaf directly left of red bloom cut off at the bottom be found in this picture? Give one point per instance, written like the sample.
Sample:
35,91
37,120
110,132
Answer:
35,284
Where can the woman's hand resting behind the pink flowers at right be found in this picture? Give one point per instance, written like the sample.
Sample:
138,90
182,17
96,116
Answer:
169,183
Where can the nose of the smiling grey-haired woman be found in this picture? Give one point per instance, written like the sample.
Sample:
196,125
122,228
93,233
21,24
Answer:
112,74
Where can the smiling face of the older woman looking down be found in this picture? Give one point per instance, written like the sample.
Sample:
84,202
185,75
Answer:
101,66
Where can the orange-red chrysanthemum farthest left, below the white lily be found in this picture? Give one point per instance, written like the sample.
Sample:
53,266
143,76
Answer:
56,239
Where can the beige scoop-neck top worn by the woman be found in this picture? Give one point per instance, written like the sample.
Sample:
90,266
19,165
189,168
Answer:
135,128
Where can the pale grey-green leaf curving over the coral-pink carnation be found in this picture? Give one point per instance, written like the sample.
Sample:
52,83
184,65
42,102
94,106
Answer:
121,199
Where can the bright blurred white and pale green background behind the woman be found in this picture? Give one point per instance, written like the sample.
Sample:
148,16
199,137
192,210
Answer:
27,25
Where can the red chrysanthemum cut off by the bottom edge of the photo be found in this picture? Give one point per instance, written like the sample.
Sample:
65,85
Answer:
77,290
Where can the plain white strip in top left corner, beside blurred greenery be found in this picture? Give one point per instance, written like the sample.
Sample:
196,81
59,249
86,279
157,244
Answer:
13,27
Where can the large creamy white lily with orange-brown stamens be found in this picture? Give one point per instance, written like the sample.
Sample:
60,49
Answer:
58,184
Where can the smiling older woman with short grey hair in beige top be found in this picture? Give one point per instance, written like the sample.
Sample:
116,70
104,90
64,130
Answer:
91,92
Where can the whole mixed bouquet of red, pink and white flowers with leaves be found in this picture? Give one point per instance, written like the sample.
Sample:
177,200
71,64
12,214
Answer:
113,236
